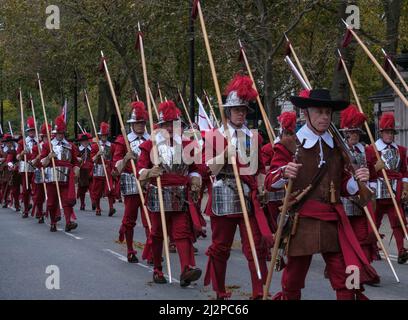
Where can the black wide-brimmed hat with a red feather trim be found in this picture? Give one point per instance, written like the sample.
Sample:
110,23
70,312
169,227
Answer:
318,98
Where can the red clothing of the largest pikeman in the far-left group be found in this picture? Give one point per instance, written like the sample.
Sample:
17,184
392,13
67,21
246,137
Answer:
67,189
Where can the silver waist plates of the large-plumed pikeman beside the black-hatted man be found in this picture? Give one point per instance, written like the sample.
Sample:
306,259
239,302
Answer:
225,198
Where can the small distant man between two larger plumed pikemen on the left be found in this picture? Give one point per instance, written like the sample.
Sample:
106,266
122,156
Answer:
86,165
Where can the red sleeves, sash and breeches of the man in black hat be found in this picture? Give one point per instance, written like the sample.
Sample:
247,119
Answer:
350,251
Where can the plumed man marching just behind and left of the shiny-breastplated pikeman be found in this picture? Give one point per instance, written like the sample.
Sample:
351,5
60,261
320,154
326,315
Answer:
128,186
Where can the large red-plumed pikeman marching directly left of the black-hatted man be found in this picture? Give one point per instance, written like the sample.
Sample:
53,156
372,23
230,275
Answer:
223,205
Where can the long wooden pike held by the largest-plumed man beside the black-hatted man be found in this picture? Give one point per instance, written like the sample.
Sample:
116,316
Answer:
233,158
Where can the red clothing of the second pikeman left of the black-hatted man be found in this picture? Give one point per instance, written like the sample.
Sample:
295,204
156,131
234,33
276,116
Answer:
181,225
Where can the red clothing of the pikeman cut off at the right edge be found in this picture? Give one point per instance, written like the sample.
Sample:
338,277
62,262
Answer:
386,206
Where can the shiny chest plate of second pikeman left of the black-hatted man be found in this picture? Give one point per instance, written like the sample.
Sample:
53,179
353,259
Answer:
171,160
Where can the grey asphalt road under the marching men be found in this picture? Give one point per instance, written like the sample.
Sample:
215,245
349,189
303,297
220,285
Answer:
92,264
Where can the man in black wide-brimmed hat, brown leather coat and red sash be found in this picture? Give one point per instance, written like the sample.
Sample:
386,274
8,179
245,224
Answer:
319,223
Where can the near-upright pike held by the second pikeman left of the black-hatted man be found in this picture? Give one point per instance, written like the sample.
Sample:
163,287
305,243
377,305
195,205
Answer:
155,154
